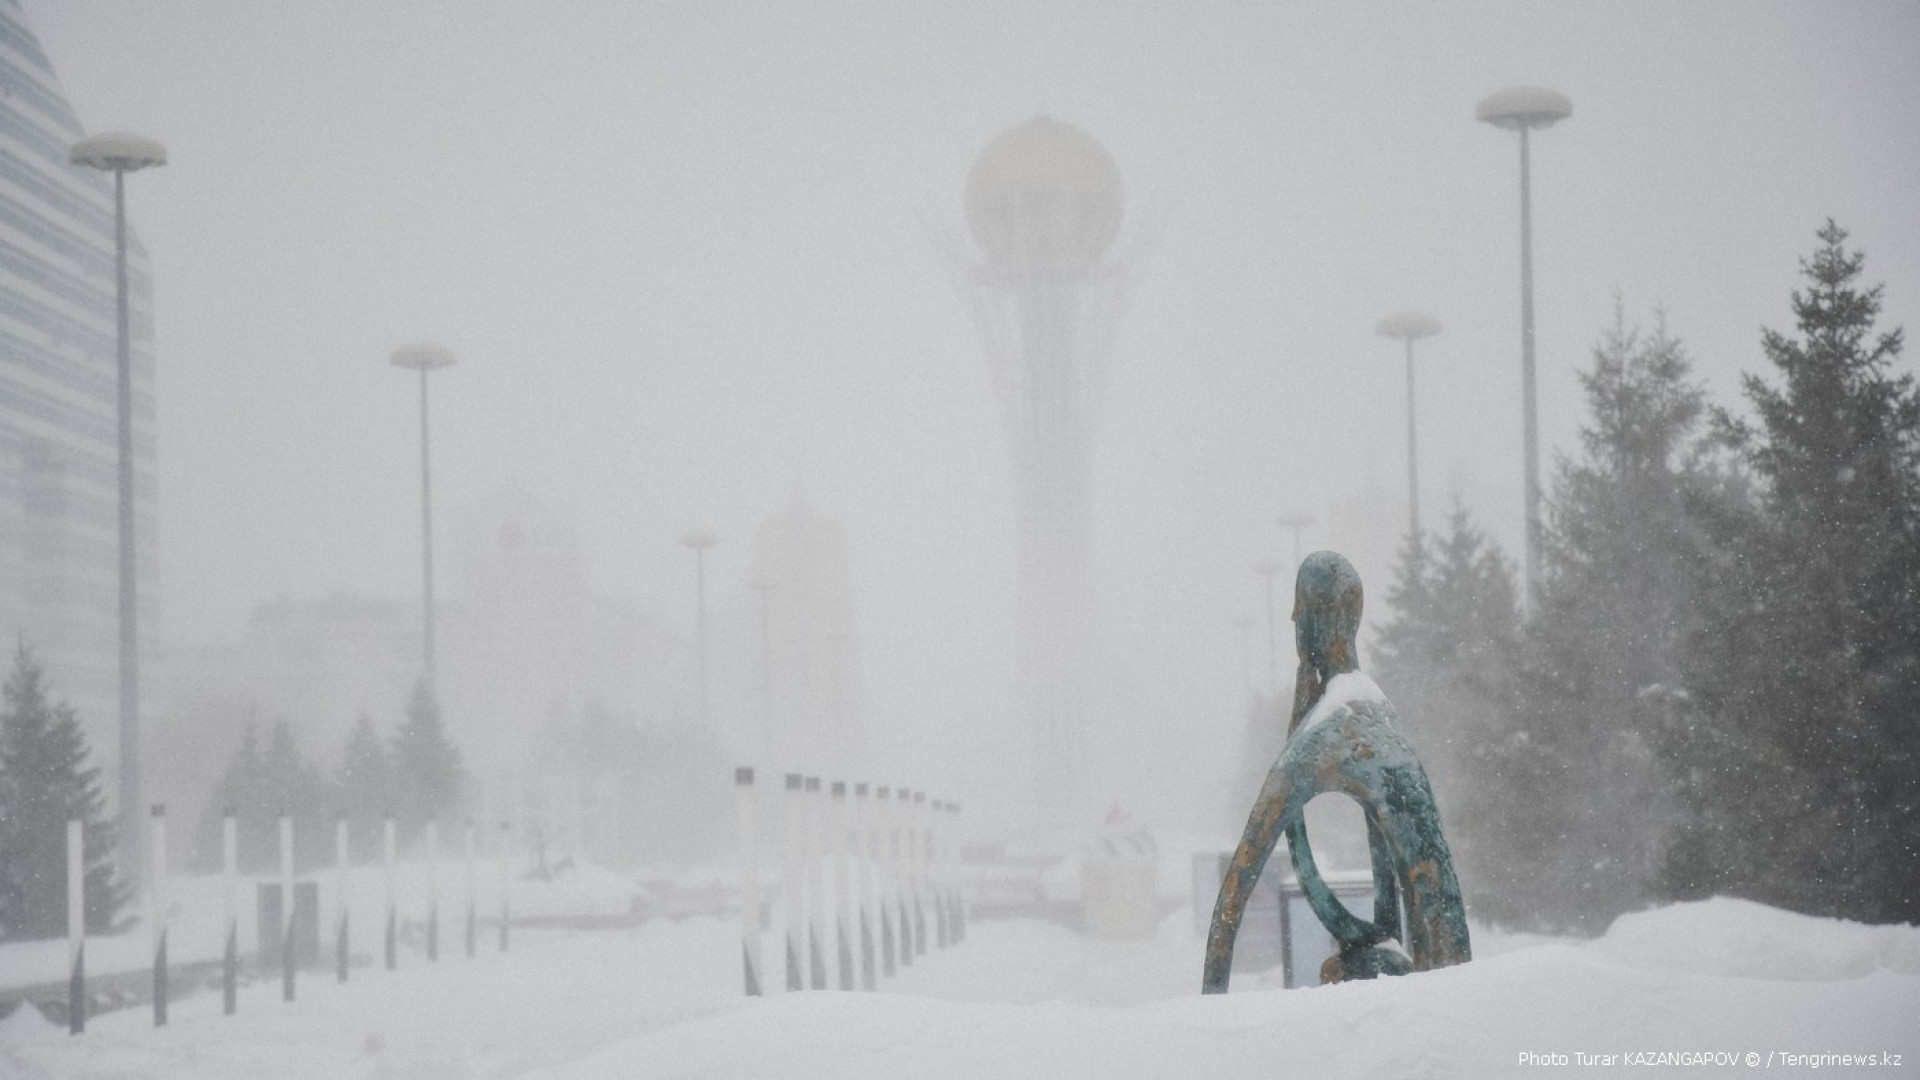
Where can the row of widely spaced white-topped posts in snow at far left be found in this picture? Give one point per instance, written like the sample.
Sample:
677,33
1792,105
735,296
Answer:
285,931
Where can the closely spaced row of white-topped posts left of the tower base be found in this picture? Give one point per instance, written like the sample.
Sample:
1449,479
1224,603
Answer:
894,866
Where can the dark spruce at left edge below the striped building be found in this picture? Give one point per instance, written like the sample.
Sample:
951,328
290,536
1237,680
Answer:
45,781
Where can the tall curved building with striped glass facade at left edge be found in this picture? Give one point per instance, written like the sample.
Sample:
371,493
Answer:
59,397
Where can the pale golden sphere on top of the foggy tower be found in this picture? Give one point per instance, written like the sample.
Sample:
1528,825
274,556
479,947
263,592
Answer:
1044,199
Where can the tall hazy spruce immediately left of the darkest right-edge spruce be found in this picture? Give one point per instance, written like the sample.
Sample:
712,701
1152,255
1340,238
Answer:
1606,645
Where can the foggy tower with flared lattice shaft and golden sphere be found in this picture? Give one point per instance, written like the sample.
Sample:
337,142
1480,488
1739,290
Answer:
1044,203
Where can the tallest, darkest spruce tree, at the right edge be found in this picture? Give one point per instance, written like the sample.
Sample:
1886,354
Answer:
1819,612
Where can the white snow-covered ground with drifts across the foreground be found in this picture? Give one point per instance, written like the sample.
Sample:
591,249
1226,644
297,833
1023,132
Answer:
1036,1000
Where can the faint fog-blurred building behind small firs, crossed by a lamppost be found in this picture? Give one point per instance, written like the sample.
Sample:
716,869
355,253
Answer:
525,645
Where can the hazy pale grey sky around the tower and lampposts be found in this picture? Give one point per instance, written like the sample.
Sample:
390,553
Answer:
681,251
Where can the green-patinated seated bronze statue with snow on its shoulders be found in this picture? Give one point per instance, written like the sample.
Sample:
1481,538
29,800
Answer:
1345,739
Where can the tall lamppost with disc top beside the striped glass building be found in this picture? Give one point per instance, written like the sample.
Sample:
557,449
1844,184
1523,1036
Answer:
122,153
